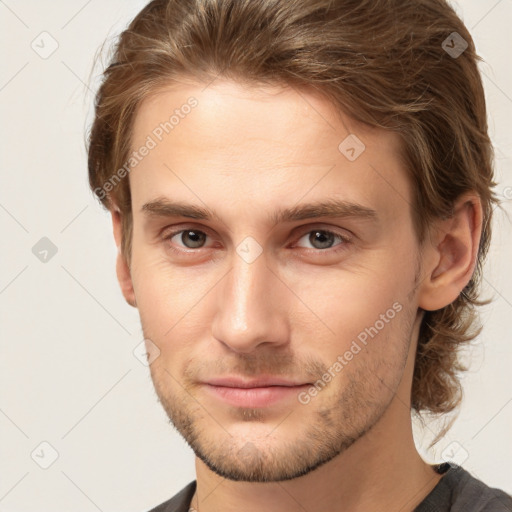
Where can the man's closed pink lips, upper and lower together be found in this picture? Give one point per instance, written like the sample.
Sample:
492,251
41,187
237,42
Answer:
260,392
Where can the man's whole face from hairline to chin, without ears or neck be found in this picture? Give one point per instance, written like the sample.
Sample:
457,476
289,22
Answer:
324,303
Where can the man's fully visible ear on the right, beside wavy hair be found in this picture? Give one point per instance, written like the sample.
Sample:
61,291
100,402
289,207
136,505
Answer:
450,254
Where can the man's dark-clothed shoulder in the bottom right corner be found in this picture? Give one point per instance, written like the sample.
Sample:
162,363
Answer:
460,491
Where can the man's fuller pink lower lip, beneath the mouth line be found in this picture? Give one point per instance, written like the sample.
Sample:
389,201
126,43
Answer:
255,397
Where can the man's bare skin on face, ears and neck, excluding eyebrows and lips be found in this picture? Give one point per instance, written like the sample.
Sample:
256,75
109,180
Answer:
245,153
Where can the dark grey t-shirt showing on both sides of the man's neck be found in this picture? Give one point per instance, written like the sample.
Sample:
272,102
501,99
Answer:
457,491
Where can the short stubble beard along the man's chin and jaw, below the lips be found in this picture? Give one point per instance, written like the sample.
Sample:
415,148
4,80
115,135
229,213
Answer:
336,419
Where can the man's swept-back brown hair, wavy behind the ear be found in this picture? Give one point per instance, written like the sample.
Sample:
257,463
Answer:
386,63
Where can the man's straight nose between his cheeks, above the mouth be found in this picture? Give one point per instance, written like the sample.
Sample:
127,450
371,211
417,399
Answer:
251,307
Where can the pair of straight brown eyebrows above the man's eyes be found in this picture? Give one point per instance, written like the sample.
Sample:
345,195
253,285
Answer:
162,207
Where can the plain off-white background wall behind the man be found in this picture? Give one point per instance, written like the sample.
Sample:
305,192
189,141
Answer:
68,373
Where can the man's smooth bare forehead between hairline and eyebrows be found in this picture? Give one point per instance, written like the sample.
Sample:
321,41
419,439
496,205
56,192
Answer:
269,144
